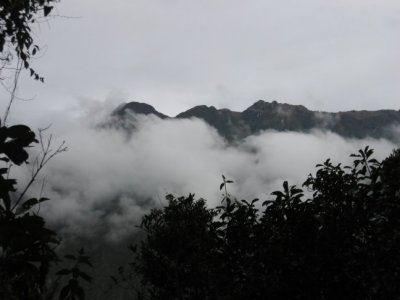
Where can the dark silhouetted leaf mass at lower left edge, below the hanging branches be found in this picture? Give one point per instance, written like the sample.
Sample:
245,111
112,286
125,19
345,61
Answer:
26,245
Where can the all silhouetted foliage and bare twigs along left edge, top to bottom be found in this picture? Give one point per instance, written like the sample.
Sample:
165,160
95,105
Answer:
26,245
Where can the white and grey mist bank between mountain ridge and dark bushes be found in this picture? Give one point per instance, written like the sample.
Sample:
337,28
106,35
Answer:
108,179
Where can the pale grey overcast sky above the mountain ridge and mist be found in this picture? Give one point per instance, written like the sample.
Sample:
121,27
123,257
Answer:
175,54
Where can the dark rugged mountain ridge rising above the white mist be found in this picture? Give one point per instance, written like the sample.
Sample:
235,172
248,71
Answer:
264,115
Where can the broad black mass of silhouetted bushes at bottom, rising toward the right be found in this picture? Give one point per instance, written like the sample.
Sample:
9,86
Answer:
340,242
